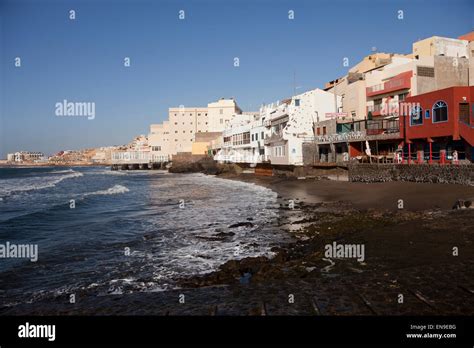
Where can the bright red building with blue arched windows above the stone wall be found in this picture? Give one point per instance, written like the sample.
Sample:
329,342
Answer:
438,125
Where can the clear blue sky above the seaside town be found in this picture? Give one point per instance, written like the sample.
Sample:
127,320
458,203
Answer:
187,62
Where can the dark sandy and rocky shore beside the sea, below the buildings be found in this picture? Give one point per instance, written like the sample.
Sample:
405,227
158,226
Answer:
408,256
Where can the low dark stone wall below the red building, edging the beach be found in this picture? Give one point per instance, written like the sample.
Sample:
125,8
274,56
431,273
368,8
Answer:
462,174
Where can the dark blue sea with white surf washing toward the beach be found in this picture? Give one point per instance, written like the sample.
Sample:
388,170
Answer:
117,232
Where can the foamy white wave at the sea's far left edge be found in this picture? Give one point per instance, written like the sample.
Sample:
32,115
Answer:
12,186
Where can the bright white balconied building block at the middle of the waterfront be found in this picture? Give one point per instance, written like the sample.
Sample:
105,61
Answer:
277,132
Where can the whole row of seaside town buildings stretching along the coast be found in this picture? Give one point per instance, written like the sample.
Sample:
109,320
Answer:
389,108
